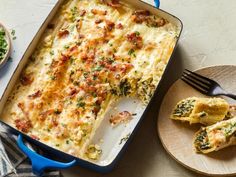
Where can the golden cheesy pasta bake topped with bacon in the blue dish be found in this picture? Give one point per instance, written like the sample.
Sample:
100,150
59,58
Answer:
93,52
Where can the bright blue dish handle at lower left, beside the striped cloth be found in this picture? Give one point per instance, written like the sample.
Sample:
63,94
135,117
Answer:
39,163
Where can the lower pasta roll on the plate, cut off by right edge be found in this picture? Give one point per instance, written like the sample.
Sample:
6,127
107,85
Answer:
215,137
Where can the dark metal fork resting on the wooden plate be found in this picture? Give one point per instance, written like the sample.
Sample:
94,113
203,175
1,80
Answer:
204,85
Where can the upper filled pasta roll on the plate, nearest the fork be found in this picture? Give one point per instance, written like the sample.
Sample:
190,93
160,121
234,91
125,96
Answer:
201,110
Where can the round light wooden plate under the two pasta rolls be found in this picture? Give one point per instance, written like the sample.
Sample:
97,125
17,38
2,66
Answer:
177,137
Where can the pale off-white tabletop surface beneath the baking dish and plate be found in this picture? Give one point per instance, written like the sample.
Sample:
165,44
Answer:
209,38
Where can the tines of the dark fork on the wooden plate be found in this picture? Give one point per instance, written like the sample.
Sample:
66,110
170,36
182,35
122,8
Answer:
200,83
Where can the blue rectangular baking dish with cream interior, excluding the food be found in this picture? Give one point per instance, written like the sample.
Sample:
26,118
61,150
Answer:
114,140
